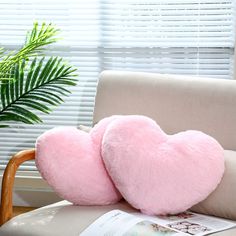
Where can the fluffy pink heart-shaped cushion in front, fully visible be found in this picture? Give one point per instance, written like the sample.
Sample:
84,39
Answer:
159,173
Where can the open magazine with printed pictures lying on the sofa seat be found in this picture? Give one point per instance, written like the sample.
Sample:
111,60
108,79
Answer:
120,223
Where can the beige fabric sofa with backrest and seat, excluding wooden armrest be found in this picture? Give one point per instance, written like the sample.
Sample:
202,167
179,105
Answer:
177,103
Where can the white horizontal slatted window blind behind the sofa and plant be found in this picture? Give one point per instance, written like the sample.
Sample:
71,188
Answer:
194,37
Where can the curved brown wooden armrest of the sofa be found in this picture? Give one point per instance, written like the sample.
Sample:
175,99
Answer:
6,209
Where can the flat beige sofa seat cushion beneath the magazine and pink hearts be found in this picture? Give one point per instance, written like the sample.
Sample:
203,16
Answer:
63,218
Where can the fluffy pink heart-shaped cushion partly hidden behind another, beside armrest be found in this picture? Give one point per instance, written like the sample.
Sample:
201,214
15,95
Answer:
69,160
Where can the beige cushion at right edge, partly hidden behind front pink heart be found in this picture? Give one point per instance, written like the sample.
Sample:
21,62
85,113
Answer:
221,202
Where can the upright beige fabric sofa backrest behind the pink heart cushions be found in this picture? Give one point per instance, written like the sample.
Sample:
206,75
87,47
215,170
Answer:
176,103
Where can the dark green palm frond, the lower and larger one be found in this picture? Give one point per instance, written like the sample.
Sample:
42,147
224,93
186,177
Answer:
38,86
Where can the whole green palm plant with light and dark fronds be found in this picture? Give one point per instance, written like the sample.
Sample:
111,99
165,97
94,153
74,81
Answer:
31,82
